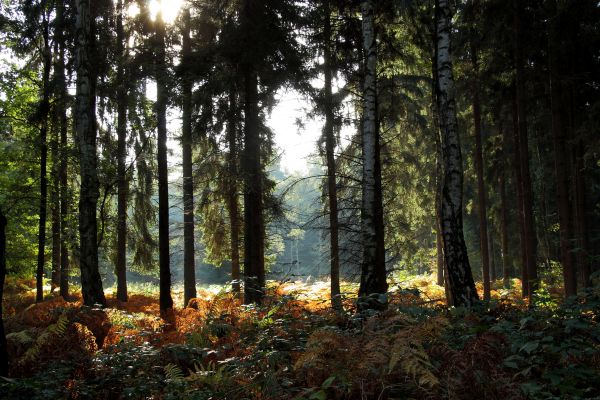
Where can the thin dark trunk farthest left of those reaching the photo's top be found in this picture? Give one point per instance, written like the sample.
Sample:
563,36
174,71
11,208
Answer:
44,111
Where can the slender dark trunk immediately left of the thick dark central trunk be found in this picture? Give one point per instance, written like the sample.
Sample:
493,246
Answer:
232,194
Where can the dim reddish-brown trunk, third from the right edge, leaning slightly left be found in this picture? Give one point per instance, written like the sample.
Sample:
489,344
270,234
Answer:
530,236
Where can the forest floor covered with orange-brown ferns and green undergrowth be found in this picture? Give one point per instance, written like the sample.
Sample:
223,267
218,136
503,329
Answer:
295,347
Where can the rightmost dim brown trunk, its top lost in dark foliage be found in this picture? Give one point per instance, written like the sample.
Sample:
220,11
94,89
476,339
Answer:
581,225
